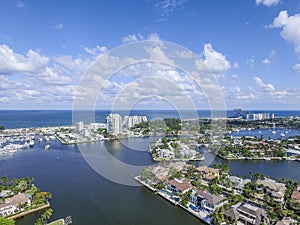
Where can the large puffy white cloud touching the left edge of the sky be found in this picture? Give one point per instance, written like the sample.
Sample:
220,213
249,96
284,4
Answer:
11,62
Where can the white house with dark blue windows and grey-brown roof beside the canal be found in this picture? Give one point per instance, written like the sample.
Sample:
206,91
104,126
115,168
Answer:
206,201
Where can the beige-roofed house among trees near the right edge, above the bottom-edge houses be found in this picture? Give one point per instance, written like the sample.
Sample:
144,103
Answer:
275,189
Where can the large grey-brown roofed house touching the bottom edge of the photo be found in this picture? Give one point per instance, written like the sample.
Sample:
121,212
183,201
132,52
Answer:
247,214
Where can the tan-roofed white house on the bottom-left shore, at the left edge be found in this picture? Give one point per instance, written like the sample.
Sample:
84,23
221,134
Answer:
11,205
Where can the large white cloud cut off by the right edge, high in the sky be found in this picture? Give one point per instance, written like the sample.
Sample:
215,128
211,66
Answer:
290,28
